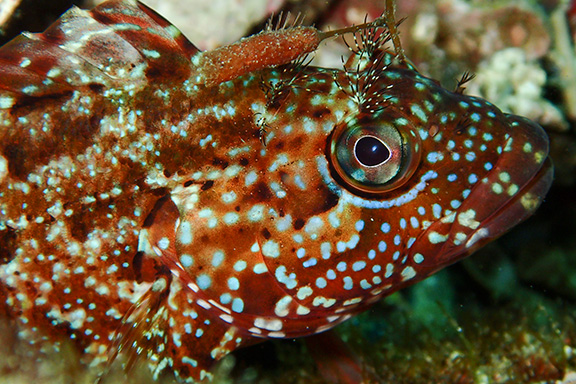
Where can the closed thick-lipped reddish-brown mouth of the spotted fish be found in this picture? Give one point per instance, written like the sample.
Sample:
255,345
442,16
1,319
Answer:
507,195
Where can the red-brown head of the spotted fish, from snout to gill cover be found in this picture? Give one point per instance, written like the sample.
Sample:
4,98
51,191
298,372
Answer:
338,200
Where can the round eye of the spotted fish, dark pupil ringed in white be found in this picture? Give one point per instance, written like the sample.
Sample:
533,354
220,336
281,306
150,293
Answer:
374,157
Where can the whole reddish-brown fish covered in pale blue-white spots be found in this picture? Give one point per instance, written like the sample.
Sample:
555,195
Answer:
172,205
